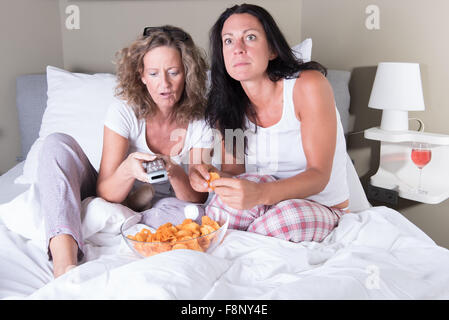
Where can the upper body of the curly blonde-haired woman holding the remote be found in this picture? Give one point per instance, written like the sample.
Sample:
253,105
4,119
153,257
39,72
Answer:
162,79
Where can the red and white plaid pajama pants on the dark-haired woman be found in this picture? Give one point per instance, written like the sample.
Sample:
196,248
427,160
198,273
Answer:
293,220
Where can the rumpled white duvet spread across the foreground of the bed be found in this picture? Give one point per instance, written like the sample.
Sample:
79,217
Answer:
373,254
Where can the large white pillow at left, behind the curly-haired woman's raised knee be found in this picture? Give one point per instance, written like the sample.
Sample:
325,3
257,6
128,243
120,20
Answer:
76,105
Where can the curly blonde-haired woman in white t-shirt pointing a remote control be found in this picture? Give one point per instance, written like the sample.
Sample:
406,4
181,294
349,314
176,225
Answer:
158,113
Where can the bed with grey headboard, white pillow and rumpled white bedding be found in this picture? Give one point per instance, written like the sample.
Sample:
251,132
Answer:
374,253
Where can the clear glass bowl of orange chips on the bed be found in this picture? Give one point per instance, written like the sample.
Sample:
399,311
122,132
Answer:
145,241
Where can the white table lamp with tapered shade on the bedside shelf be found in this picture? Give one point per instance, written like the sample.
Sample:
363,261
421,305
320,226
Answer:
397,89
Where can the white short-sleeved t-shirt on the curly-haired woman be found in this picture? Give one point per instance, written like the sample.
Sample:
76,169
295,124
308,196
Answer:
121,119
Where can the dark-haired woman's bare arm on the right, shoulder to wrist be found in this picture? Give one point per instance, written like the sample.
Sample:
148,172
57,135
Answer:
315,108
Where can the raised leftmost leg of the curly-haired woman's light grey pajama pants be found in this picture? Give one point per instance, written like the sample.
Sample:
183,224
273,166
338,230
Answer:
65,178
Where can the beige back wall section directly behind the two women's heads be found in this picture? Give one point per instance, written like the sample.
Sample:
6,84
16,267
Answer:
107,26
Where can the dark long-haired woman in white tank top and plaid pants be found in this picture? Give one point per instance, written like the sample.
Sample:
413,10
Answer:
290,182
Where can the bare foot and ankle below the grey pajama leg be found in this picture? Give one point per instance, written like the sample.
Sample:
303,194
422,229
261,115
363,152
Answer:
64,251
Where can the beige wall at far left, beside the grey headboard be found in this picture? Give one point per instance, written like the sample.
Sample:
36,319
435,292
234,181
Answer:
30,37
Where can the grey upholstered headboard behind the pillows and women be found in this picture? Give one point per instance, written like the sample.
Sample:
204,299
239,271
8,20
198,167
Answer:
31,98
